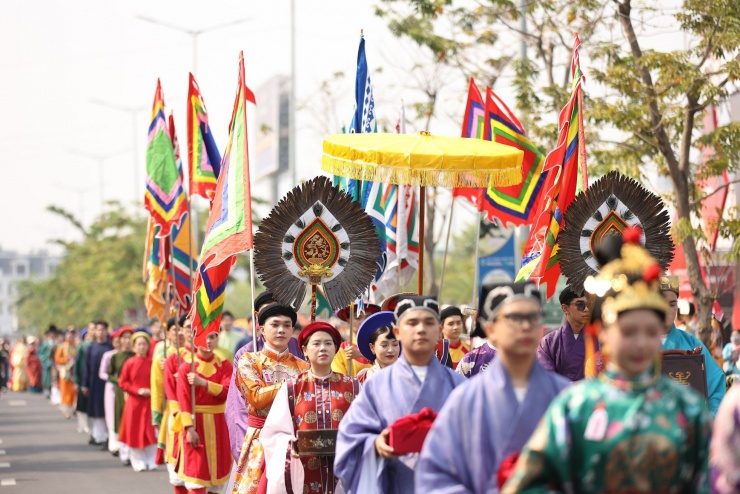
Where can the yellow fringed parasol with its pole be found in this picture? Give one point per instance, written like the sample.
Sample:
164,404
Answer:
425,160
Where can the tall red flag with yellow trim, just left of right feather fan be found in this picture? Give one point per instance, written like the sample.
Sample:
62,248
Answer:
567,176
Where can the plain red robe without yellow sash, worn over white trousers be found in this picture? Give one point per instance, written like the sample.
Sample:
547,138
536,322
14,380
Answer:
136,375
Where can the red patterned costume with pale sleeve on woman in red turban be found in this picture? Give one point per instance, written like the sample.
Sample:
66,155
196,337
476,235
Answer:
318,403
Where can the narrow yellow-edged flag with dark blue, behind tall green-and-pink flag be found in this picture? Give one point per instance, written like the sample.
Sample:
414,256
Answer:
203,155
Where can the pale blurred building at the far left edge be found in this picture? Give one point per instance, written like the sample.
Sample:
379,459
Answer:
15,267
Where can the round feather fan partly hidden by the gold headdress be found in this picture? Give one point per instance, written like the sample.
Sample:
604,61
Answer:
608,207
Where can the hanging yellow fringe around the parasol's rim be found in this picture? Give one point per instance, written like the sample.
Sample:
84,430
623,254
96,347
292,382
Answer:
509,174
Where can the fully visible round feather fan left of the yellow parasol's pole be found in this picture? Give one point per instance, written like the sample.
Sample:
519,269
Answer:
316,235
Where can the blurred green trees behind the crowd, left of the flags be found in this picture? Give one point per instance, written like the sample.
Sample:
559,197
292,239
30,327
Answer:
98,278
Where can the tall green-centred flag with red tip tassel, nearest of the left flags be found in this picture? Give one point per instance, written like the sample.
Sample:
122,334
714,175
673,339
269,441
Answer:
229,229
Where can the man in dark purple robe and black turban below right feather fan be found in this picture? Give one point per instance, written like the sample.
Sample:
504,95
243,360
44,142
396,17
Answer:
564,350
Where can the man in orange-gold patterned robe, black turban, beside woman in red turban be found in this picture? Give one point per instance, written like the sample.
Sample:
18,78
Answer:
258,378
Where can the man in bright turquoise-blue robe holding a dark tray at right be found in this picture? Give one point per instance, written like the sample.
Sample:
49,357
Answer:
675,339
